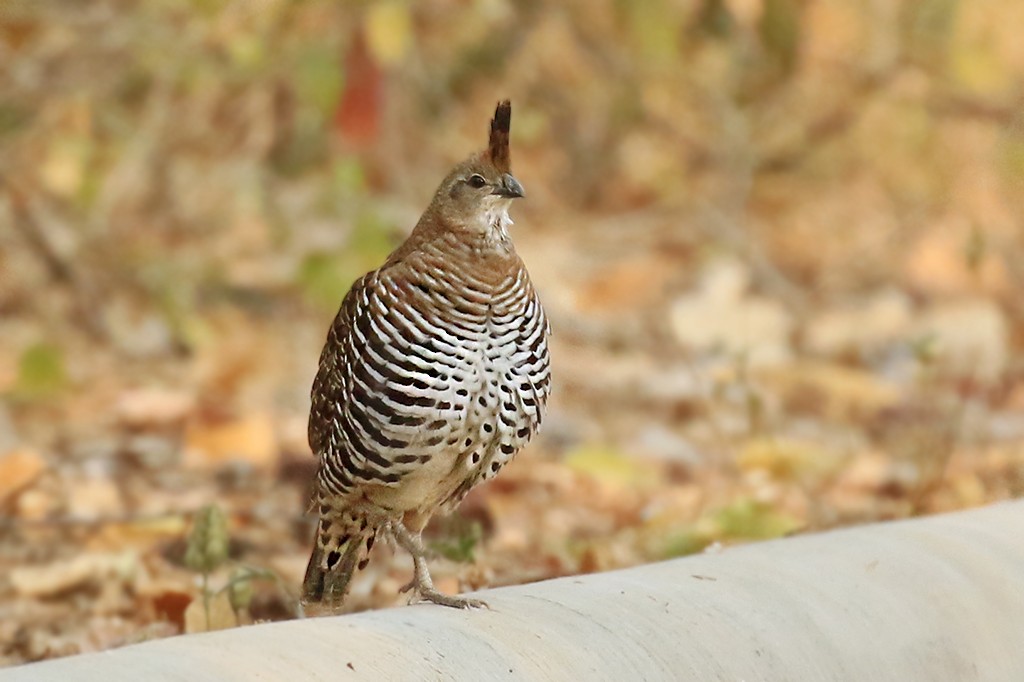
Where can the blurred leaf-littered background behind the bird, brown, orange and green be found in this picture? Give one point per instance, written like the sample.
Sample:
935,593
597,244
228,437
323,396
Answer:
781,244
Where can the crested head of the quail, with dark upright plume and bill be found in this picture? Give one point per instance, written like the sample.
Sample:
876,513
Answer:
477,195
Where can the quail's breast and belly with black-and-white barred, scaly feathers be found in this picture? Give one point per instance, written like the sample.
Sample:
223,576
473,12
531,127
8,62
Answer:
448,386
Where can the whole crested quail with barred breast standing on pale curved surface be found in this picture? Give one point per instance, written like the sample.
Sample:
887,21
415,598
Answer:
435,374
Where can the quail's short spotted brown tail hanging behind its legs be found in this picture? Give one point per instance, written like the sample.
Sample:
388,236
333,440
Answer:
343,545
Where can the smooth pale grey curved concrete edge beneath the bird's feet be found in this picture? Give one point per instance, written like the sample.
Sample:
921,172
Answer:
937,599
